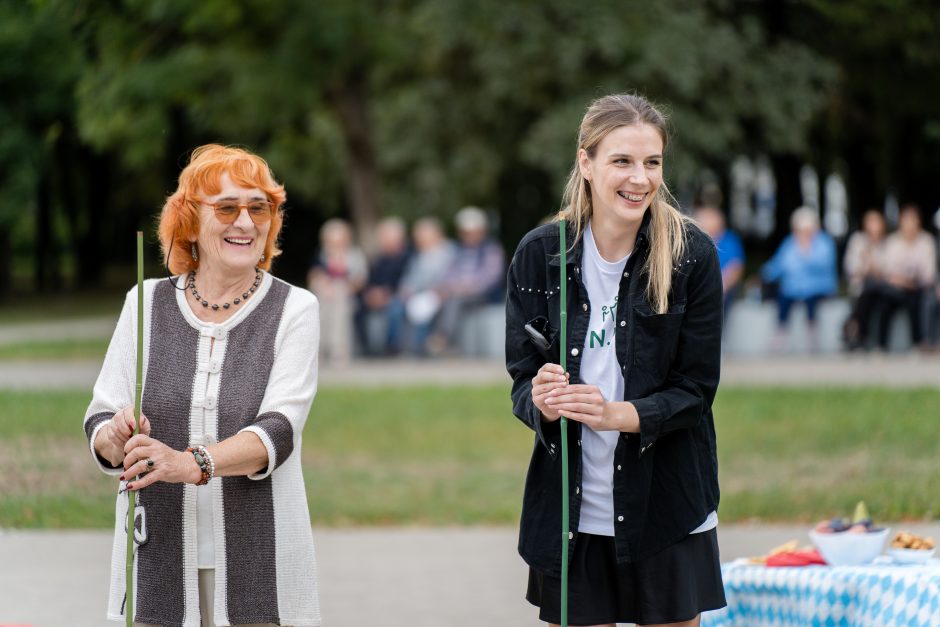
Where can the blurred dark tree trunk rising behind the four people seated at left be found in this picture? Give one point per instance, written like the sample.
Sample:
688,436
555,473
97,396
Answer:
363,186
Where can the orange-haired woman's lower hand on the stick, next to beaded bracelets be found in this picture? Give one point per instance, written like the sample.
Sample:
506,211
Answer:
168,465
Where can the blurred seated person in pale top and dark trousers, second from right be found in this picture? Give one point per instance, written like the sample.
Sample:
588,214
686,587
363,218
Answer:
864,265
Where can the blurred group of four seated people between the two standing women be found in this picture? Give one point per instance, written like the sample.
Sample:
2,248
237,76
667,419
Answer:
414,294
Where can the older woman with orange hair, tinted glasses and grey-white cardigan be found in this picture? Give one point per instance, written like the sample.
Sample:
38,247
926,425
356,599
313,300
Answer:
230,371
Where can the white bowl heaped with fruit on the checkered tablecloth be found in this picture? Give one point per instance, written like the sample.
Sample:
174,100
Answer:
849,543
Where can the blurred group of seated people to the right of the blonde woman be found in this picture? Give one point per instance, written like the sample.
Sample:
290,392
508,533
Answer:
885,273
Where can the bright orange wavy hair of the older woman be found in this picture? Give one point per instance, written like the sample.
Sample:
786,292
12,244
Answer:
179,219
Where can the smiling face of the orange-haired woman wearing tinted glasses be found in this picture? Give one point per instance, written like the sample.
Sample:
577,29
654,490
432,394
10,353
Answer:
235,247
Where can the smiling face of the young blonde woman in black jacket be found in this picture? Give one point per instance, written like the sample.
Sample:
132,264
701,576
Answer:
625,173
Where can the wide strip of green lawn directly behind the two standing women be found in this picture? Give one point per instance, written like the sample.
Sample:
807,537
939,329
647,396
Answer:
439,456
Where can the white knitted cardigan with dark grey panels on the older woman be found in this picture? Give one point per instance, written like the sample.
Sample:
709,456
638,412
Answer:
205,382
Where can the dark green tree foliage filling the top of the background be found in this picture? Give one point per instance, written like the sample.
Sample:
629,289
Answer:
414,107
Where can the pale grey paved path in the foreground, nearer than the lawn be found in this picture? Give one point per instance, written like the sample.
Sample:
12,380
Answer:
389,577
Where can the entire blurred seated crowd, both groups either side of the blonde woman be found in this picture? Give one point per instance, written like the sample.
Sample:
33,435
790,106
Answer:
411,296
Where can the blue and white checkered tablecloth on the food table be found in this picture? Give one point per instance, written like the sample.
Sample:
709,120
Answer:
880,595
